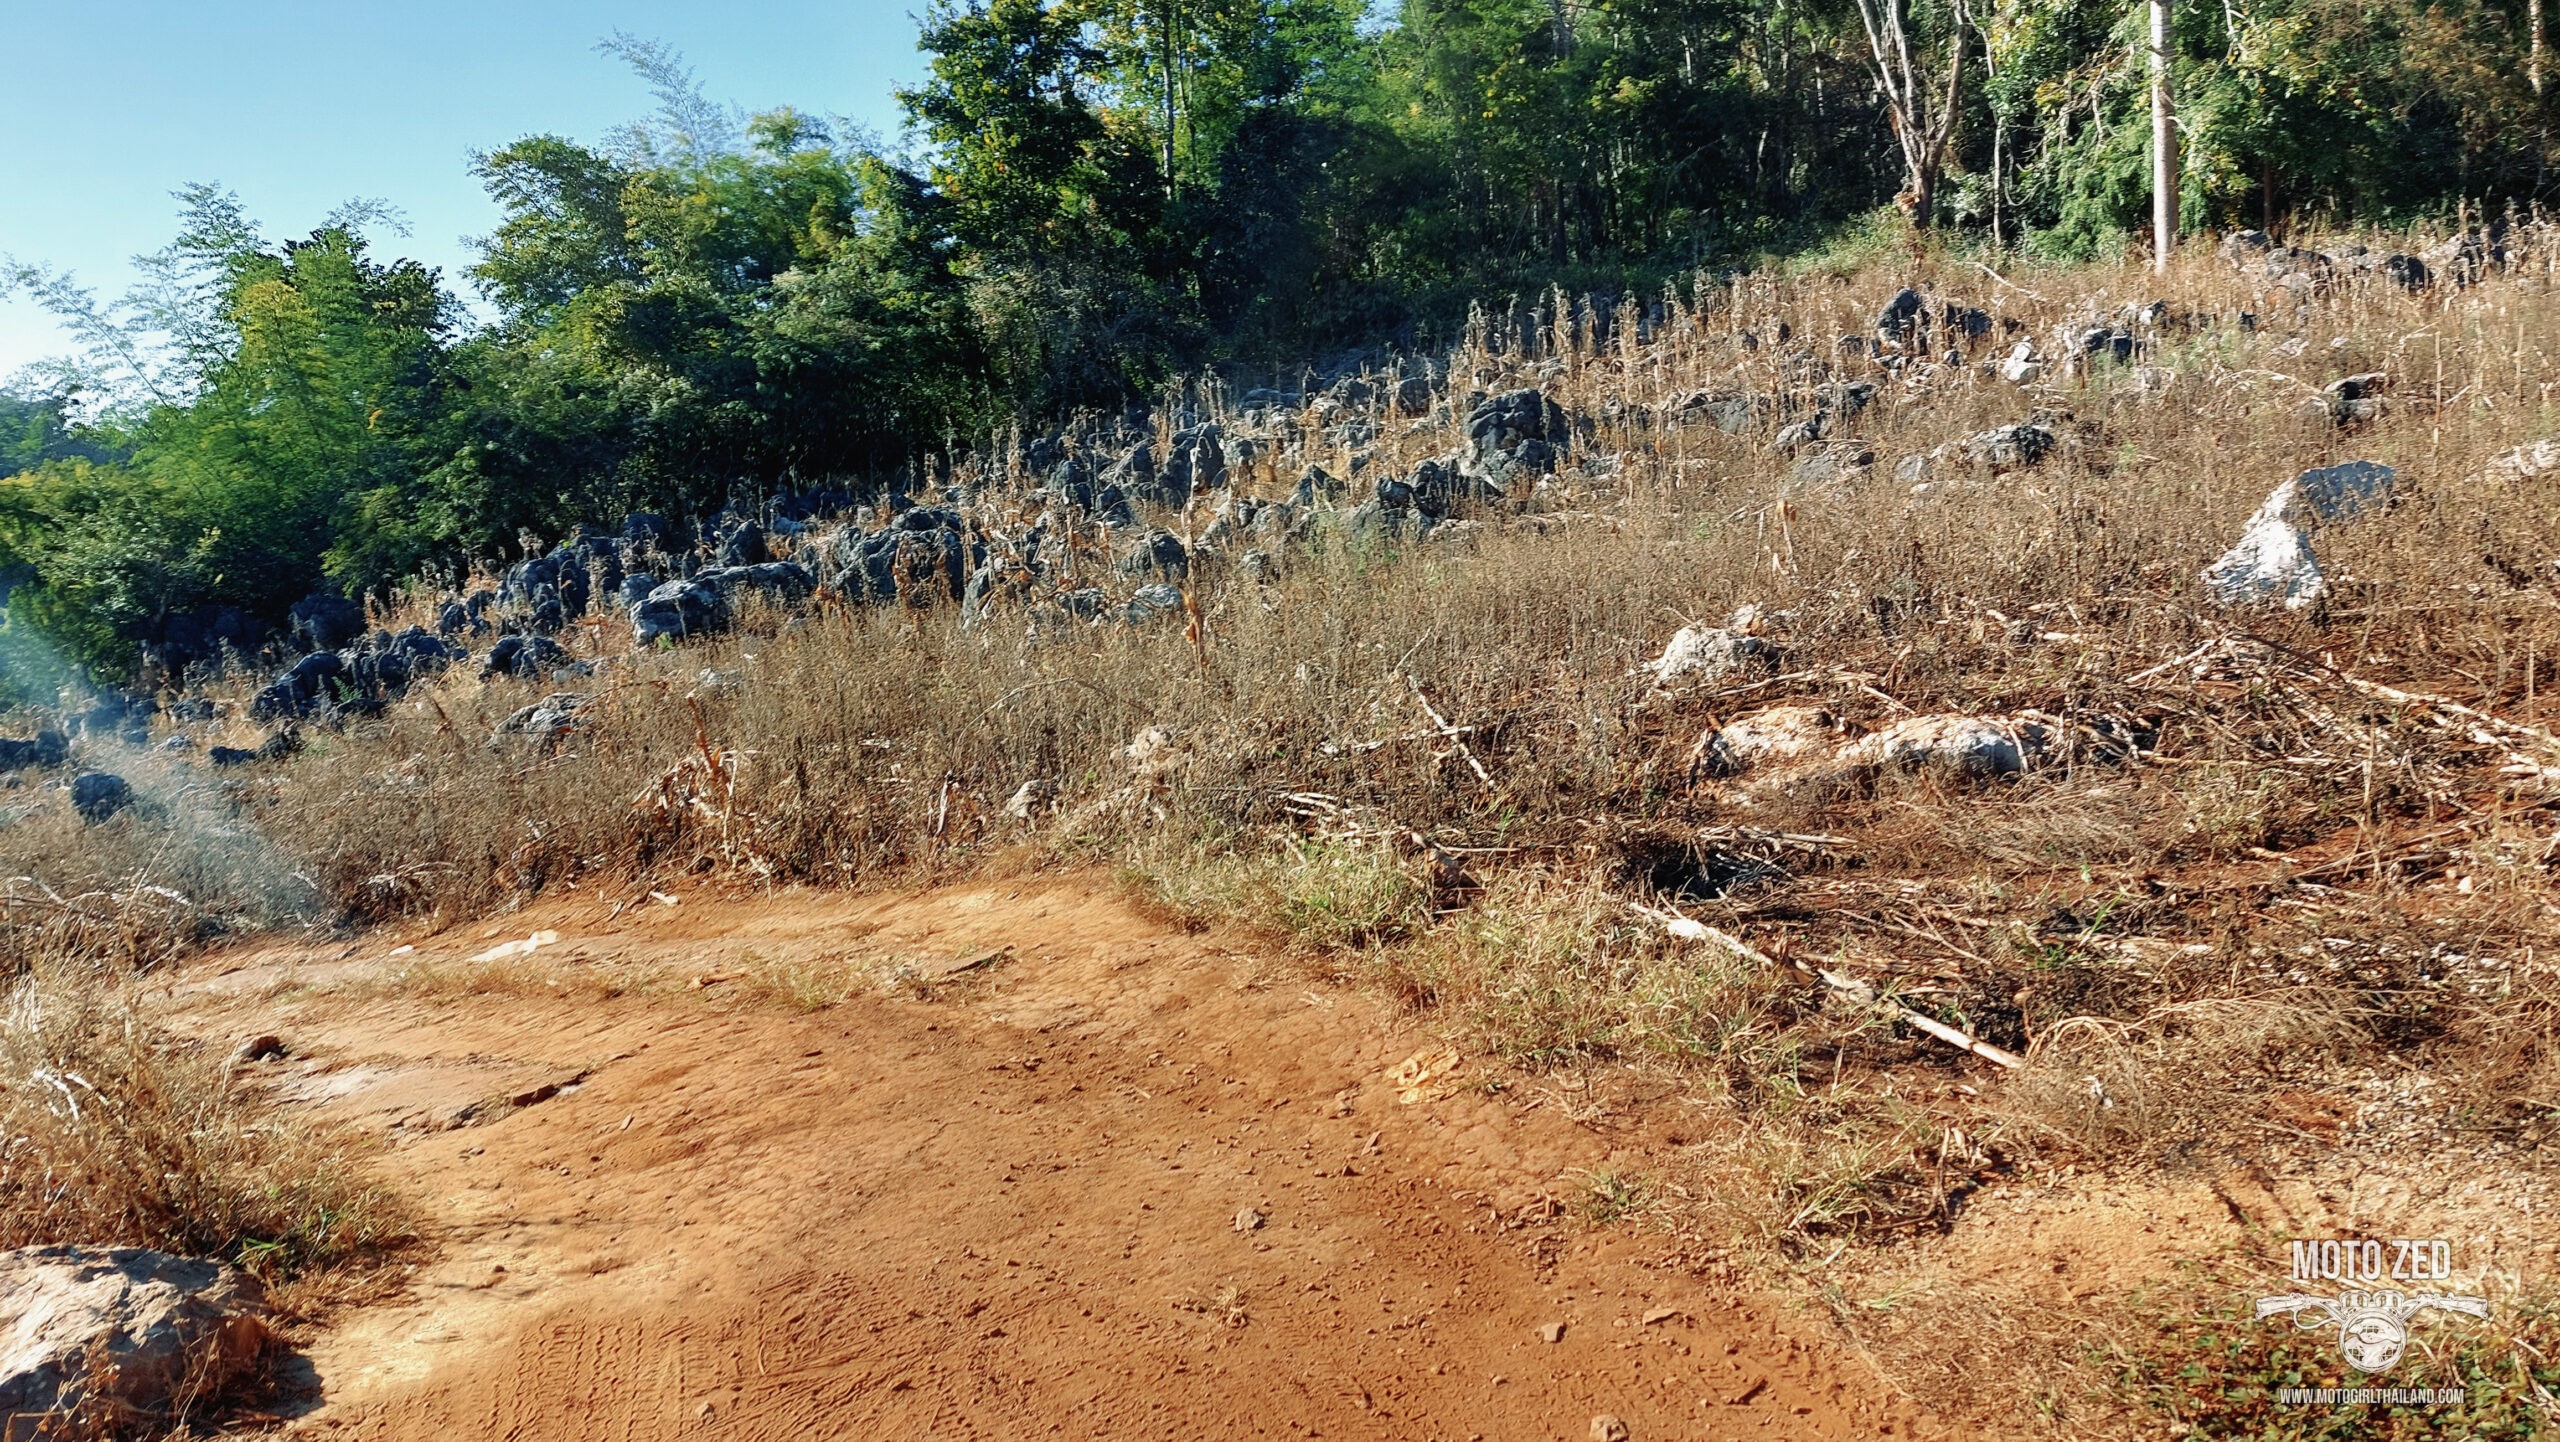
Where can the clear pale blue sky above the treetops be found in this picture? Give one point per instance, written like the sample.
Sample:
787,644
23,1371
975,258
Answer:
306,104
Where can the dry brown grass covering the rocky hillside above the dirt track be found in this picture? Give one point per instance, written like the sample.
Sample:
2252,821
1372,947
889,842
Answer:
2298,872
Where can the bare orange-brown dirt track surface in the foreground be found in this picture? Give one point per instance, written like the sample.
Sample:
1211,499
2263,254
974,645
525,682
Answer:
1007,1210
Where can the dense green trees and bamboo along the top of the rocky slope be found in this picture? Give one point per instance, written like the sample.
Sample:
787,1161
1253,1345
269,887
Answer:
1105,193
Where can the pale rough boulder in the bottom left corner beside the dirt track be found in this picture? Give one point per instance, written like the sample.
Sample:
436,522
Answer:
111,1341
